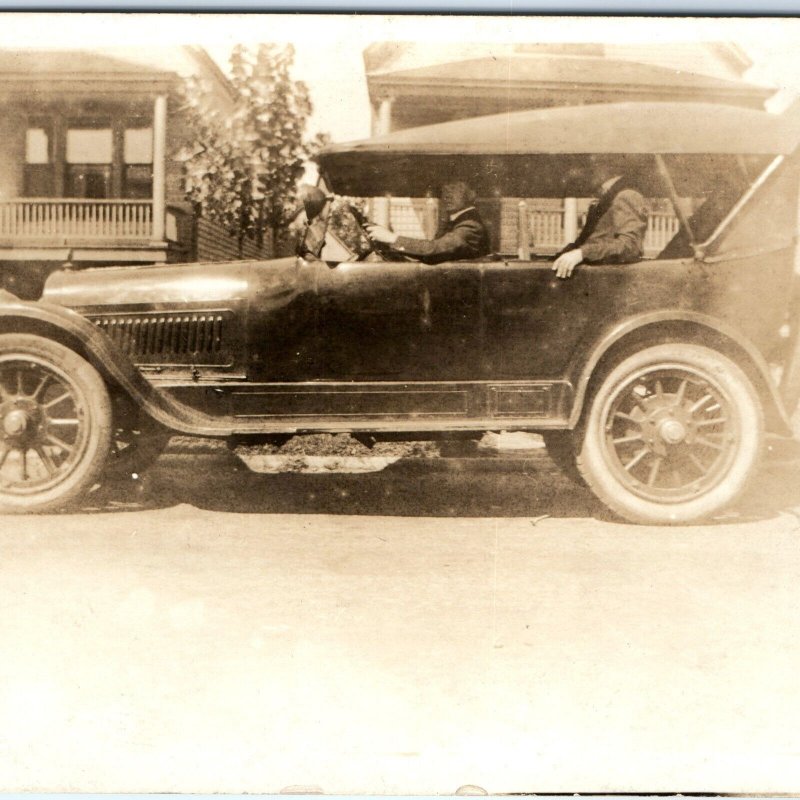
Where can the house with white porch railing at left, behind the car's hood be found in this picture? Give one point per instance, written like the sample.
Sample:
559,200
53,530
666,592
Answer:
89,168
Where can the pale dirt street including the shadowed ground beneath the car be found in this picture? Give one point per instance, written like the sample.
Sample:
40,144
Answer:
412,630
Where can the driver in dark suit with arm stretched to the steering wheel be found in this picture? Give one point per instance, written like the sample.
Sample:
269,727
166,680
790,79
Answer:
465,235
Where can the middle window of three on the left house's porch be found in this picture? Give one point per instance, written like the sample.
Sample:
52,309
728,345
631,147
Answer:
89,158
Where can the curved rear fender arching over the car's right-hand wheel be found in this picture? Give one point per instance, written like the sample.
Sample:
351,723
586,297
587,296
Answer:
678,325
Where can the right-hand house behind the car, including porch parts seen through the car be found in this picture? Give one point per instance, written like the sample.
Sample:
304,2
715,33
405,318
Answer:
414,84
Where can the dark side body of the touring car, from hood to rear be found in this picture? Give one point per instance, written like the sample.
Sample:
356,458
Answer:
312,345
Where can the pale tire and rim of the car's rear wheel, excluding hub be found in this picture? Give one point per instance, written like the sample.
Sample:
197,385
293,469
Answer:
610,479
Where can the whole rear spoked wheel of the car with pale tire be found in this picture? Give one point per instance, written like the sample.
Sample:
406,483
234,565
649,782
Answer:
672,435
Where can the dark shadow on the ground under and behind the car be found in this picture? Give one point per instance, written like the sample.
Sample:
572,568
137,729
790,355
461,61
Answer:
413,487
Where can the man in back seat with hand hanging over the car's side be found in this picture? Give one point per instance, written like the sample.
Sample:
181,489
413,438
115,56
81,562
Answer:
615,225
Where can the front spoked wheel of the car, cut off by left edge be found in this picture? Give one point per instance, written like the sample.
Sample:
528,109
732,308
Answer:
55,424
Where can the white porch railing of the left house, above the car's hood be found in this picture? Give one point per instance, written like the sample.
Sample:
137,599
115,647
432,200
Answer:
61,219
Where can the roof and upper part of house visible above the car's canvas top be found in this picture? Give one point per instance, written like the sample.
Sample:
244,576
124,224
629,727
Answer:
413,84
